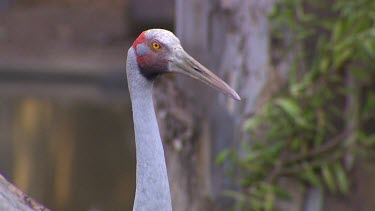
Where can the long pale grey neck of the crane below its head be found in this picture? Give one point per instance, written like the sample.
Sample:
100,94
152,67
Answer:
152,186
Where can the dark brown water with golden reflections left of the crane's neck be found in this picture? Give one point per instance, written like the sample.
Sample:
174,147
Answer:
70,154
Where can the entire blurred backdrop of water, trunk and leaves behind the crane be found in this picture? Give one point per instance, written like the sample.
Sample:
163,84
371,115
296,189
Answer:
301,138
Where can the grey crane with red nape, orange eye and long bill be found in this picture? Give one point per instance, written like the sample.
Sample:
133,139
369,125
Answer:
154,52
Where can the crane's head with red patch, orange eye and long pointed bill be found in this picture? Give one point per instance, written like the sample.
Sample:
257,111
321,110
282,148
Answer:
159,51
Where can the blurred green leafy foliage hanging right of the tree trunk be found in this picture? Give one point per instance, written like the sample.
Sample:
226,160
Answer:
322,116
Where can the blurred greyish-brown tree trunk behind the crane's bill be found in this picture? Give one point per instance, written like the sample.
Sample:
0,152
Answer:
230,37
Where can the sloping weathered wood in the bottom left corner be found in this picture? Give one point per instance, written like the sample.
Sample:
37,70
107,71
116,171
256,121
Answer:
13,199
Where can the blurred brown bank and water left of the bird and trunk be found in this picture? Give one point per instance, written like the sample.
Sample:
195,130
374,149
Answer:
66,134
